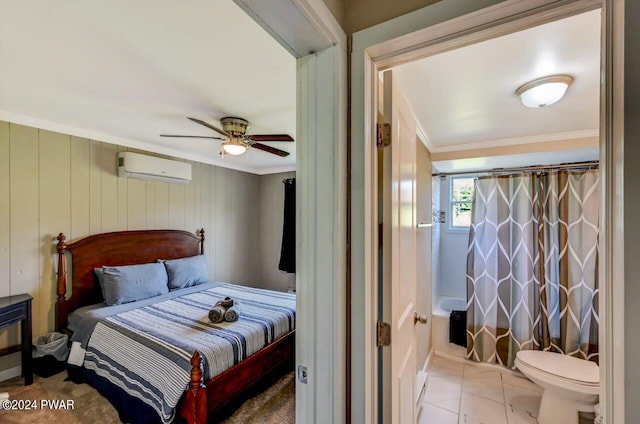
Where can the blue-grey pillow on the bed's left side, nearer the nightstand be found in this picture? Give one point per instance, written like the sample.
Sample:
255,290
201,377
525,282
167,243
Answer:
128,283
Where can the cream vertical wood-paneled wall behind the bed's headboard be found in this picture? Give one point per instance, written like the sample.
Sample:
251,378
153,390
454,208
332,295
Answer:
52,183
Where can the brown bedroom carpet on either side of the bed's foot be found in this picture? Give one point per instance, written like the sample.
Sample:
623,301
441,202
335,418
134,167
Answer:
271,403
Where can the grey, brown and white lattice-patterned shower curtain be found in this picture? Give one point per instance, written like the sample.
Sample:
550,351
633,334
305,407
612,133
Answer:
532,266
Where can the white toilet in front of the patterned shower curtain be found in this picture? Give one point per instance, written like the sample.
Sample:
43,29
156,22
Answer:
571,385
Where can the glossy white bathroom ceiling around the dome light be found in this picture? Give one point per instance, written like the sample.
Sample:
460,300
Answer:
465,98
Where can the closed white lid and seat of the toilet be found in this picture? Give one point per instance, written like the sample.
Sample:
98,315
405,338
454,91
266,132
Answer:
561,367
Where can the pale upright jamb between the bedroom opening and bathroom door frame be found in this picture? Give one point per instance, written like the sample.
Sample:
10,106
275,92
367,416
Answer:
321,237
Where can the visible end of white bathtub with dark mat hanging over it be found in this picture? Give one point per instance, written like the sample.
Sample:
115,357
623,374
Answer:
440,326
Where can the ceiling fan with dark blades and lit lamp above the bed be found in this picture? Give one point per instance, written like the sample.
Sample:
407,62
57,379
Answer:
237,141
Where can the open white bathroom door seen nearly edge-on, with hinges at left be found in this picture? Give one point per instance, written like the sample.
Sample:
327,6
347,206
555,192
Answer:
399,238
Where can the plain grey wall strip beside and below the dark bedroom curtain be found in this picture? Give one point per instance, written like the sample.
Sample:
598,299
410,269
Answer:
270,211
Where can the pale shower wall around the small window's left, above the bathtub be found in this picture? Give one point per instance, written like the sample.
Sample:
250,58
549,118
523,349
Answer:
453,252
